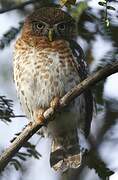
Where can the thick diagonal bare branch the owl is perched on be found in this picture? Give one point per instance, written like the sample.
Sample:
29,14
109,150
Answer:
33,127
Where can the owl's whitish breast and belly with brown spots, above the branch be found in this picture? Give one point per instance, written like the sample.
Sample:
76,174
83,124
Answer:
43,73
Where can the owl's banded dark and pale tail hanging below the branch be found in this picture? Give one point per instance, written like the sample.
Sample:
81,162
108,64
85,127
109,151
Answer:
62,159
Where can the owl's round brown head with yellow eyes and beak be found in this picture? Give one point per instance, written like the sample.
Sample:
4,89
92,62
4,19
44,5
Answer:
51,22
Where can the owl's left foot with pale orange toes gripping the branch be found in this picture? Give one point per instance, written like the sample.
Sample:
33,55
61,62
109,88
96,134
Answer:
39,116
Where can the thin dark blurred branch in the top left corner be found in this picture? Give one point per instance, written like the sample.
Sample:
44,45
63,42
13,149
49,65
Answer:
19,6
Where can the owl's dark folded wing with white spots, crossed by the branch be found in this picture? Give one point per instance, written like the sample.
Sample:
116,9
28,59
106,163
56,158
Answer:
82,69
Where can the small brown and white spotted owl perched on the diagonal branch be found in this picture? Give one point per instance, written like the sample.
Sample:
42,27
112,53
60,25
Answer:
47,64
